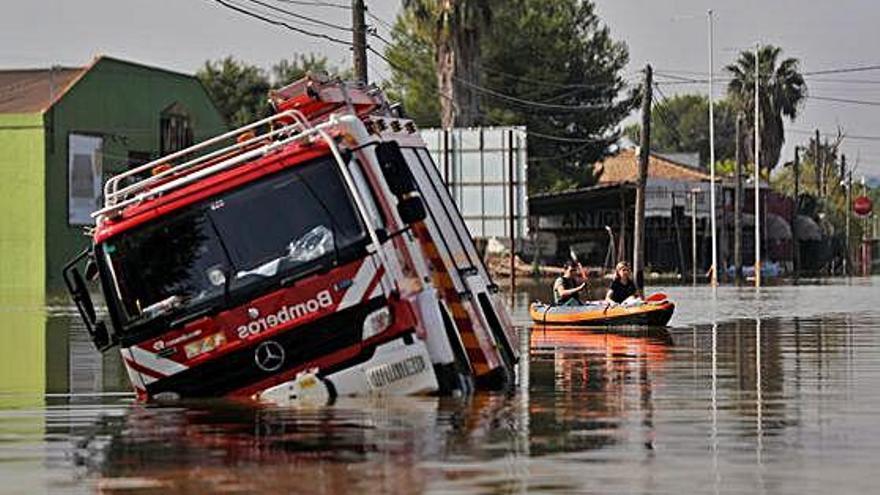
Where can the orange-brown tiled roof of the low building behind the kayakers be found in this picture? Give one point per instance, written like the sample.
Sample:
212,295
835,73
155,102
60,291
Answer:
624,167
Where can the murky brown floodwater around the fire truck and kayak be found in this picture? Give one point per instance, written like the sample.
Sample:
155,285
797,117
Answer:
769,392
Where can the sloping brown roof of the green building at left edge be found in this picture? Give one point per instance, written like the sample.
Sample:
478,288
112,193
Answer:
32,90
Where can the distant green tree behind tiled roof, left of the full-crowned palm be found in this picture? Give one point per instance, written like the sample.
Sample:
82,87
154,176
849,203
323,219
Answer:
680,124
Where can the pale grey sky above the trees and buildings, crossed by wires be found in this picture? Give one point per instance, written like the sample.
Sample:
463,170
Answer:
671,35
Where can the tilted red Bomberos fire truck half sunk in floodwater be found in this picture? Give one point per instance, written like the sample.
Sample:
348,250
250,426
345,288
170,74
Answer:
314,251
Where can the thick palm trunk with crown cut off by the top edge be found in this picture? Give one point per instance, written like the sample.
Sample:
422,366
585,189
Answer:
455,27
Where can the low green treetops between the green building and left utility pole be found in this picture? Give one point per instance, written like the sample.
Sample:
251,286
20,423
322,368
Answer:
240,90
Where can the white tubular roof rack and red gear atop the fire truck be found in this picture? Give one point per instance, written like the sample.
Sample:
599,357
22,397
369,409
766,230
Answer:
298,105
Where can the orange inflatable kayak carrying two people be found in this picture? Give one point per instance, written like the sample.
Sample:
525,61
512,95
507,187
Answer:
650,313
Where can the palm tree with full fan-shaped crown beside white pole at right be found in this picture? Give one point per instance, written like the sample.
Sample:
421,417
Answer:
782,90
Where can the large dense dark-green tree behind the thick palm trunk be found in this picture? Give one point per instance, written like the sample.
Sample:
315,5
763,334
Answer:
548,64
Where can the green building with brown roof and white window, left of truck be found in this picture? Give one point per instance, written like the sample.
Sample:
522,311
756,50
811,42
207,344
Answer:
63,132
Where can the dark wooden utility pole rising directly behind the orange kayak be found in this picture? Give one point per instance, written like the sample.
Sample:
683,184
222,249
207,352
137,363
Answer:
644,154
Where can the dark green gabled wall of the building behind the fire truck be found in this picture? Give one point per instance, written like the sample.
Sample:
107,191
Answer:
122,103
